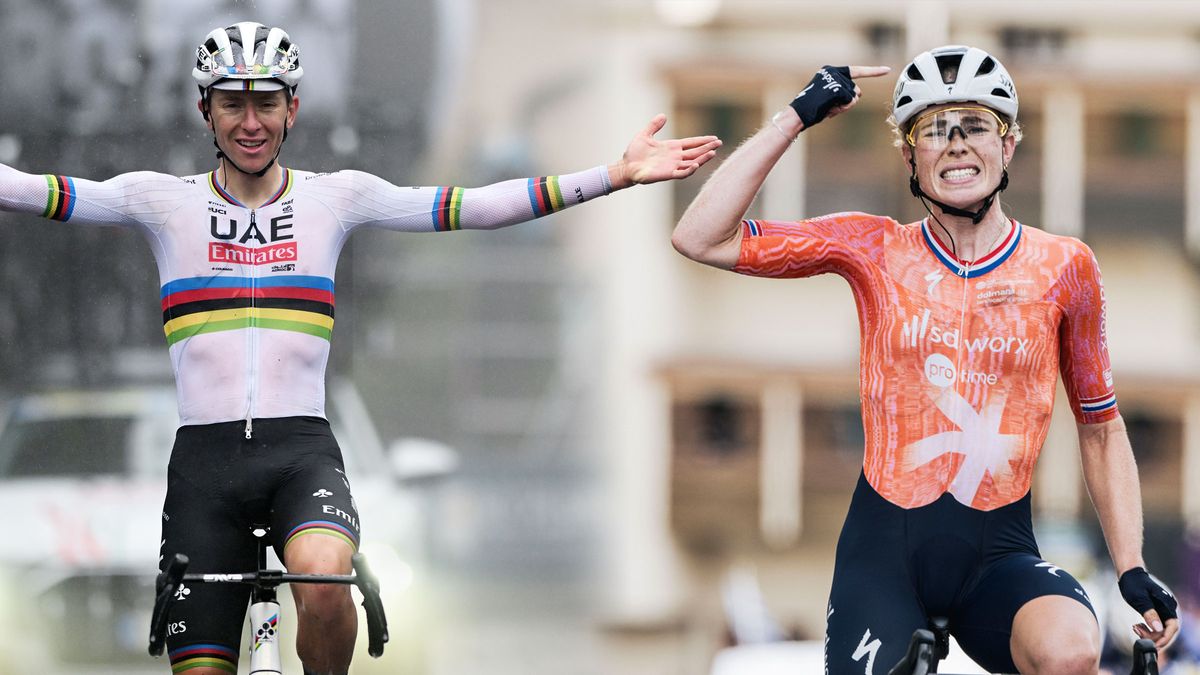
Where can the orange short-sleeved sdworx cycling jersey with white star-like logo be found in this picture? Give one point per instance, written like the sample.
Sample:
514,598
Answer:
959,361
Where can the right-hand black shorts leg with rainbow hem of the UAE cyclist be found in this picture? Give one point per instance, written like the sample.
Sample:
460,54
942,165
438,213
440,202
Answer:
315,498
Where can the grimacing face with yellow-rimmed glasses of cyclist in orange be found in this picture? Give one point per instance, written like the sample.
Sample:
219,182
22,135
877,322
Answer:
961,152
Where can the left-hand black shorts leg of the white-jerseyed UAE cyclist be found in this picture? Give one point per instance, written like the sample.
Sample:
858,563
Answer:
207,620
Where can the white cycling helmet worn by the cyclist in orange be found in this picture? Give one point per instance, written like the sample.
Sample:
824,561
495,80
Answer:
973,76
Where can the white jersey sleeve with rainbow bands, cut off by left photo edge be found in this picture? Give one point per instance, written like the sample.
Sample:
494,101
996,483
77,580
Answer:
142,199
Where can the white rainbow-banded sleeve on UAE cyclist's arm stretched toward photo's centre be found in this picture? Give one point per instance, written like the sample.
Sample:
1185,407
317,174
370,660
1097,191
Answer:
363,200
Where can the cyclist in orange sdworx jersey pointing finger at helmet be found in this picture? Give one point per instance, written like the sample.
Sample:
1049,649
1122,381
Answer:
968,318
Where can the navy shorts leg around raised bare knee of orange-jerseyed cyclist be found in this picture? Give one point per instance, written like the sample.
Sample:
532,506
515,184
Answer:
985,623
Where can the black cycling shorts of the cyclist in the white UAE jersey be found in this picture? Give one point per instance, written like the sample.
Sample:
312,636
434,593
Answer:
220,485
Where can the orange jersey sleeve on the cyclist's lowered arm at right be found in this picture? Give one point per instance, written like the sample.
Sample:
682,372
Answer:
1083,342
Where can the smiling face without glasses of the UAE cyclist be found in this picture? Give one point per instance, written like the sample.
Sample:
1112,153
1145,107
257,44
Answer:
250,126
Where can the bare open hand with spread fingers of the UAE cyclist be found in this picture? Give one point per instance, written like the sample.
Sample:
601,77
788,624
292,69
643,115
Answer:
651,160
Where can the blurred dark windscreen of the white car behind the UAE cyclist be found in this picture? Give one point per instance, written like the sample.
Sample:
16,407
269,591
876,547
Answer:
65,447
